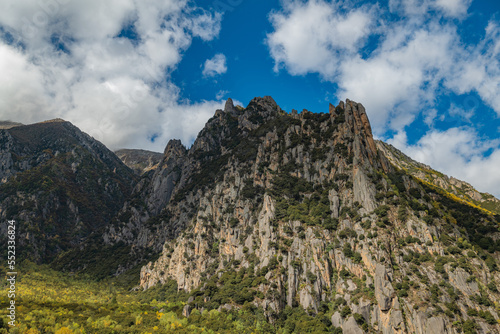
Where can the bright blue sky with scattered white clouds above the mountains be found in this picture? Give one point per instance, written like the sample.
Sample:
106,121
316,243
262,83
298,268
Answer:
136,74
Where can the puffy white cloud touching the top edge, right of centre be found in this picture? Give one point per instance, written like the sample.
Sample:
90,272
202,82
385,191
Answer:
310,36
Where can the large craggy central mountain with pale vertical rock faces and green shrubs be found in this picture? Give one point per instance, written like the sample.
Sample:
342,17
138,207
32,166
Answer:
305,210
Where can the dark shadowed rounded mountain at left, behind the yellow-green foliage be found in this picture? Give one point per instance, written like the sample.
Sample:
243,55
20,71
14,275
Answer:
60,185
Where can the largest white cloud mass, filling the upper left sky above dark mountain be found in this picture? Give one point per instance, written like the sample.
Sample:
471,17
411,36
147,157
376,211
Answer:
72,59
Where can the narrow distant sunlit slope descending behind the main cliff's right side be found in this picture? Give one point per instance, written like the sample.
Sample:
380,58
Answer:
451,185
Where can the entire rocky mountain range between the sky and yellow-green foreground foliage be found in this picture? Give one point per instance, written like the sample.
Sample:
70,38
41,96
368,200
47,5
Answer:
268,211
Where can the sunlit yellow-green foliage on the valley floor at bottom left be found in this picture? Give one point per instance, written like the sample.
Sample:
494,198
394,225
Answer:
77,306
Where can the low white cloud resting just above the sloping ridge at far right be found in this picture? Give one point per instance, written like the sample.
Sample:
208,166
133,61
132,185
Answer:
458,152
